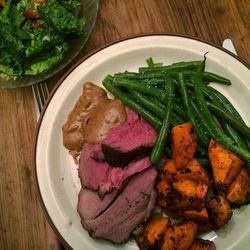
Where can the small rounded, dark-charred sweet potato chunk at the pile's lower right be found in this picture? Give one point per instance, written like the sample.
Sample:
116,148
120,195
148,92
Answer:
219,211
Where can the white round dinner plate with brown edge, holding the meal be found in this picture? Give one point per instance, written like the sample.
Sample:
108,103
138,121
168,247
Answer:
57,176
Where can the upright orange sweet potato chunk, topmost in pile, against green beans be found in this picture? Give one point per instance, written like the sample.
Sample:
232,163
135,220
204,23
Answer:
184,144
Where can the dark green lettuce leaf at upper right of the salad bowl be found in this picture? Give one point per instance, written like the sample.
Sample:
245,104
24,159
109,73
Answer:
60,18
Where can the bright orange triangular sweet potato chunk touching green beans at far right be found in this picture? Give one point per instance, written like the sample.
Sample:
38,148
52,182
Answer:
225,165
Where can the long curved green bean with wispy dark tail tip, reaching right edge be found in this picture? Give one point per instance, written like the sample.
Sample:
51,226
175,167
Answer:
215,131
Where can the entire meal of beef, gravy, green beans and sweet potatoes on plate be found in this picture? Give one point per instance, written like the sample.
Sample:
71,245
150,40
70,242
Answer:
168,141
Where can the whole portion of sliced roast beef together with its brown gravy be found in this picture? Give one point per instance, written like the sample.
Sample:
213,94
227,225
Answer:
115,171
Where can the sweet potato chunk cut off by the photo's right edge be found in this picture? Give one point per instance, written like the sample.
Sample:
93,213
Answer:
239,191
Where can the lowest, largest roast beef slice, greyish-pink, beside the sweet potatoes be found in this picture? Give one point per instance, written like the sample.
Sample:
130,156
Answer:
132,206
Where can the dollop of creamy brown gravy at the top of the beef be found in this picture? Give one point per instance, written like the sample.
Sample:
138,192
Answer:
92,118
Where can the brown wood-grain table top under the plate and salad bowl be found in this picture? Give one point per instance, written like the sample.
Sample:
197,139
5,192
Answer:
22,224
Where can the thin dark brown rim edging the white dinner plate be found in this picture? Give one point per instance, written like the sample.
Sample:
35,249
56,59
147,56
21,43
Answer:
68,72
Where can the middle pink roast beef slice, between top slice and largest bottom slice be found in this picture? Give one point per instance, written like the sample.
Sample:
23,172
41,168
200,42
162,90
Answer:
101,176
